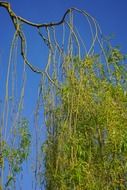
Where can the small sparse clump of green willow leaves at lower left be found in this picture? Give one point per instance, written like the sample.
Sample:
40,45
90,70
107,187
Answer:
15,156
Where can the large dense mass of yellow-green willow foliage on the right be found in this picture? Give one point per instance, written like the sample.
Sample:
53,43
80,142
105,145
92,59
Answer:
86,147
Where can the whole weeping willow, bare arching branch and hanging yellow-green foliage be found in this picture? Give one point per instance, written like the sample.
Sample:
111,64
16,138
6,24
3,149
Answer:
83,93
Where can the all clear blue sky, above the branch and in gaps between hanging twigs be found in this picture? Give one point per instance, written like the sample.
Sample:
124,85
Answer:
111,15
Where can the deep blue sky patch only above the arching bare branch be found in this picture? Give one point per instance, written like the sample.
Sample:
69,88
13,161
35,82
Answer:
111,14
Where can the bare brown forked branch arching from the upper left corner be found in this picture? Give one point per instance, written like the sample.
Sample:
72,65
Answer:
18,20
